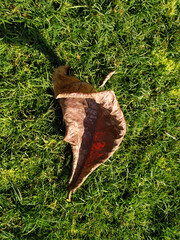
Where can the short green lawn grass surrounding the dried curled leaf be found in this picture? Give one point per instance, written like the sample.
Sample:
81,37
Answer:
135,194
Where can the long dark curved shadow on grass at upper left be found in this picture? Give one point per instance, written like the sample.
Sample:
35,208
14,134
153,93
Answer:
21,33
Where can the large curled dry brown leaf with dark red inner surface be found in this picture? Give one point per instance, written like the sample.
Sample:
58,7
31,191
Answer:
95,125
